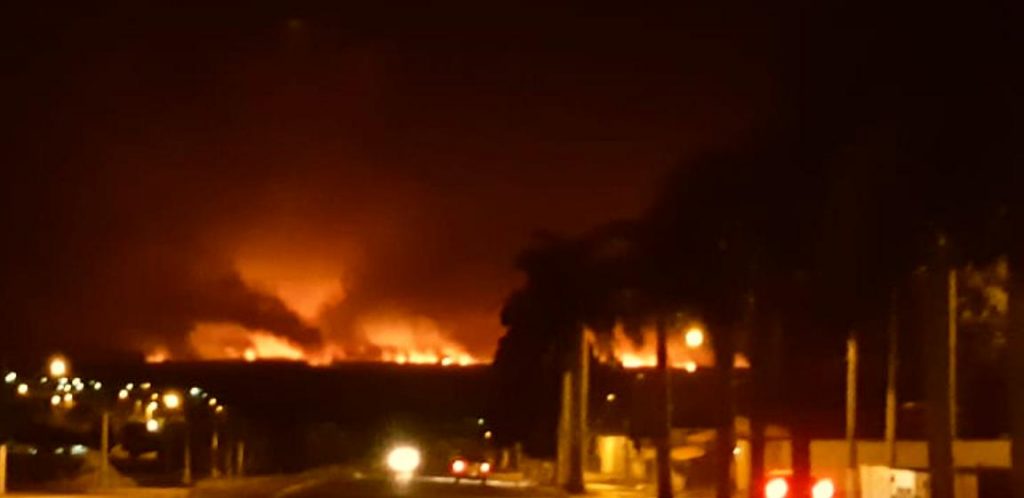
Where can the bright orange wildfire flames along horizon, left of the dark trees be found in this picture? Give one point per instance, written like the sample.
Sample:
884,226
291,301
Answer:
379,337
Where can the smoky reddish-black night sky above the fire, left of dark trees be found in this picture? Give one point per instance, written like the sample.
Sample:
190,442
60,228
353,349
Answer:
152,156
